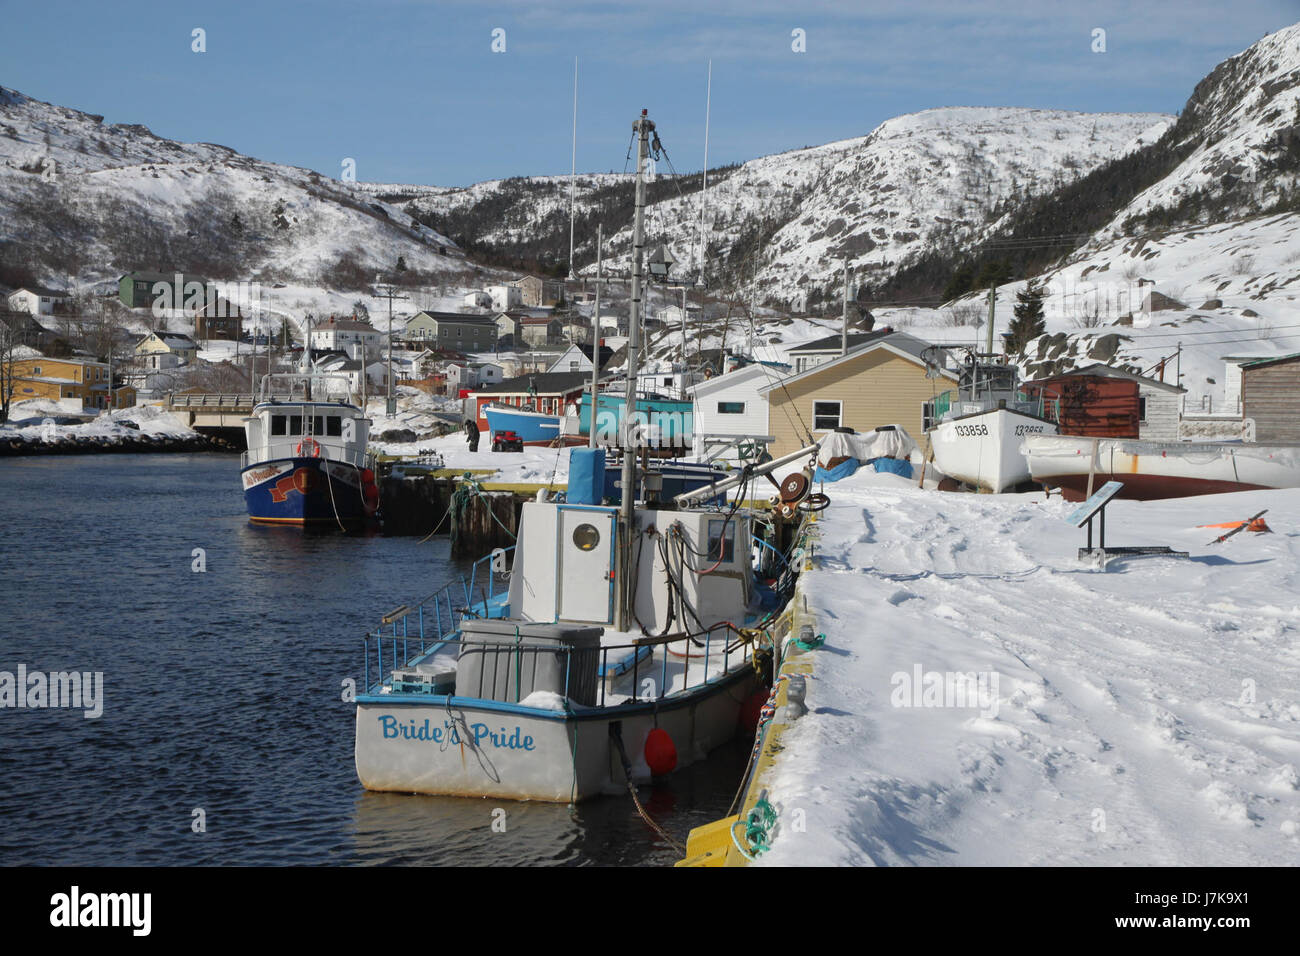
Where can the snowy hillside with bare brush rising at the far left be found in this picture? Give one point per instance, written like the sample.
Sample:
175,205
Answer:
94,201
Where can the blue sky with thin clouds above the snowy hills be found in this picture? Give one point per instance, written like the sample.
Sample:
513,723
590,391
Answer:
413,92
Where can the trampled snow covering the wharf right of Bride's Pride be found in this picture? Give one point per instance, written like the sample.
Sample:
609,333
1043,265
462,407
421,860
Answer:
1146,715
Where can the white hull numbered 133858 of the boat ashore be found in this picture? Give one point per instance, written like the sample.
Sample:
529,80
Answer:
985,449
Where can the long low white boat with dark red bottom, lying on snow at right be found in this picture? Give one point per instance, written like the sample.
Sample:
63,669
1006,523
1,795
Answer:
1154,470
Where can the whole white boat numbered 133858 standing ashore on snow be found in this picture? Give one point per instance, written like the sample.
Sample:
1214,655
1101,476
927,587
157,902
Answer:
981,426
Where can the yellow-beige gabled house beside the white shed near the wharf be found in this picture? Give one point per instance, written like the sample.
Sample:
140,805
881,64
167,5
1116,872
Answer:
882,382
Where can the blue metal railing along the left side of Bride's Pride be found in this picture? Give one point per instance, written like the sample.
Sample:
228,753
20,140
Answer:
411,633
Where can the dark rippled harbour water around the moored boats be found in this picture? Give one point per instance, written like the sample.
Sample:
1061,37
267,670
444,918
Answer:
223,690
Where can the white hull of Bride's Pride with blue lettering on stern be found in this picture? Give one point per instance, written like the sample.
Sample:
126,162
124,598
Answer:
469,747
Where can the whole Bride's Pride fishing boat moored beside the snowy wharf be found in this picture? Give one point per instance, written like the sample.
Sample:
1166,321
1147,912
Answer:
609,646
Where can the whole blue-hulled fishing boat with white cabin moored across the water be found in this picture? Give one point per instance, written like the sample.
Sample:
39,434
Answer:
307,460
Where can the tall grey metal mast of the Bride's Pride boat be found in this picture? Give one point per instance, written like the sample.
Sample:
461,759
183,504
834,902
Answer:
643,128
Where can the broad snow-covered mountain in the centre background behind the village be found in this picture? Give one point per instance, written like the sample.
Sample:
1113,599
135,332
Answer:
918,183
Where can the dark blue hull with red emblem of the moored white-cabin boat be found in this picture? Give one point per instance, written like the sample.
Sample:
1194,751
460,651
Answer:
305,491
